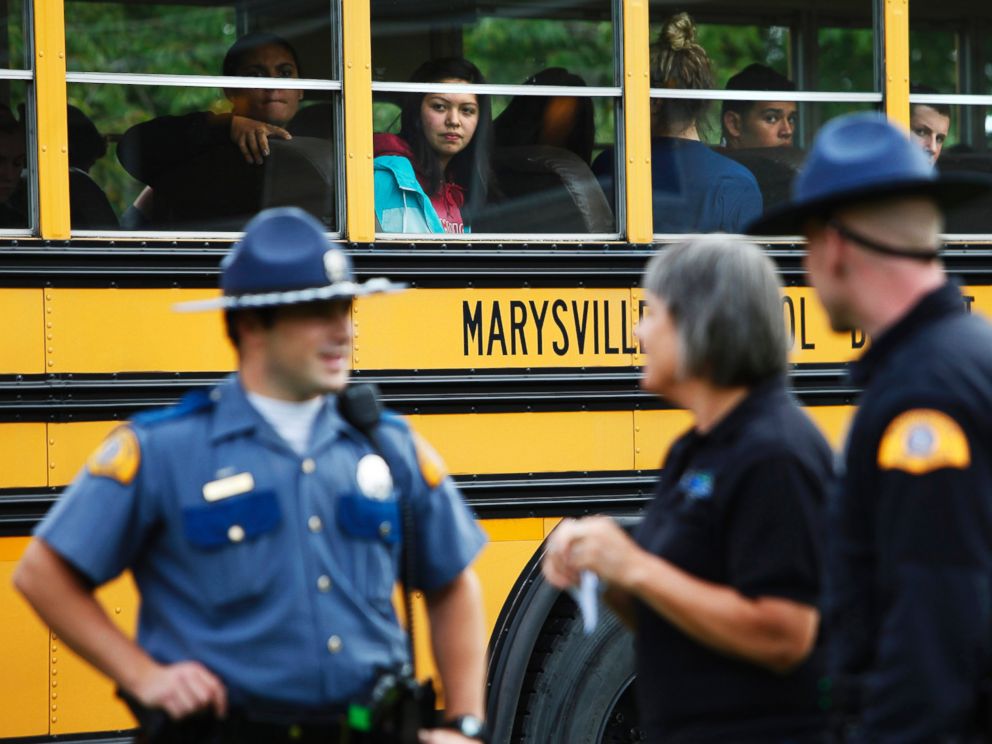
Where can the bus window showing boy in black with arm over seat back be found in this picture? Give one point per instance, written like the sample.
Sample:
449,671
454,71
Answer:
193,153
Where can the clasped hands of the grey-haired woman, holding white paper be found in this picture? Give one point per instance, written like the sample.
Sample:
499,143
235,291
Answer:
596,544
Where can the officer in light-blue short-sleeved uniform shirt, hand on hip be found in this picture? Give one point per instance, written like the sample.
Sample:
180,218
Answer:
263,530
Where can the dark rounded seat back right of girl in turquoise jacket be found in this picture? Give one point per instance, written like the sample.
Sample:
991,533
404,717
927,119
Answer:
546,190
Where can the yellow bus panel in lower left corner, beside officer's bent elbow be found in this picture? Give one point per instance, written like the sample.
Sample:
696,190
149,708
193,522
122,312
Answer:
24,691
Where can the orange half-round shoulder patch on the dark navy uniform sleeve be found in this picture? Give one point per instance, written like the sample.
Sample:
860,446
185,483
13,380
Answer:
923,440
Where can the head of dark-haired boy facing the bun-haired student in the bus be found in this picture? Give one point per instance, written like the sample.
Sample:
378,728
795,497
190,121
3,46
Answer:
748,124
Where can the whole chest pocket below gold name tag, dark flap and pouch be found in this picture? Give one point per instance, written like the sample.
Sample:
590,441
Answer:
236,545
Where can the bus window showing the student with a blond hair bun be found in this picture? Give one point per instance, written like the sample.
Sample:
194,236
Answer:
722,155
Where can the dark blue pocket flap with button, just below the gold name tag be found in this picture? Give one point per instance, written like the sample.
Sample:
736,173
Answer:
232,520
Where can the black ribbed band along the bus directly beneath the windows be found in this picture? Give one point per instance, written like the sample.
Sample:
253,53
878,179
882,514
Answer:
195,264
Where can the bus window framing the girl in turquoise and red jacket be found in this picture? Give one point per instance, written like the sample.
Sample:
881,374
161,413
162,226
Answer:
520,163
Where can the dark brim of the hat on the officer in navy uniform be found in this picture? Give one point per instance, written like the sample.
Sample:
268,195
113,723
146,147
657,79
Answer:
947,191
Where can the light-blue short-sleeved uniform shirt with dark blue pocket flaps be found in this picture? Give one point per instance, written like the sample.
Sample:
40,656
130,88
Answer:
274,570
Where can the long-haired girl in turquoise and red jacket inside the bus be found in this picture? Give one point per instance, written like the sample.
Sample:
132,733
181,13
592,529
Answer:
435,175
